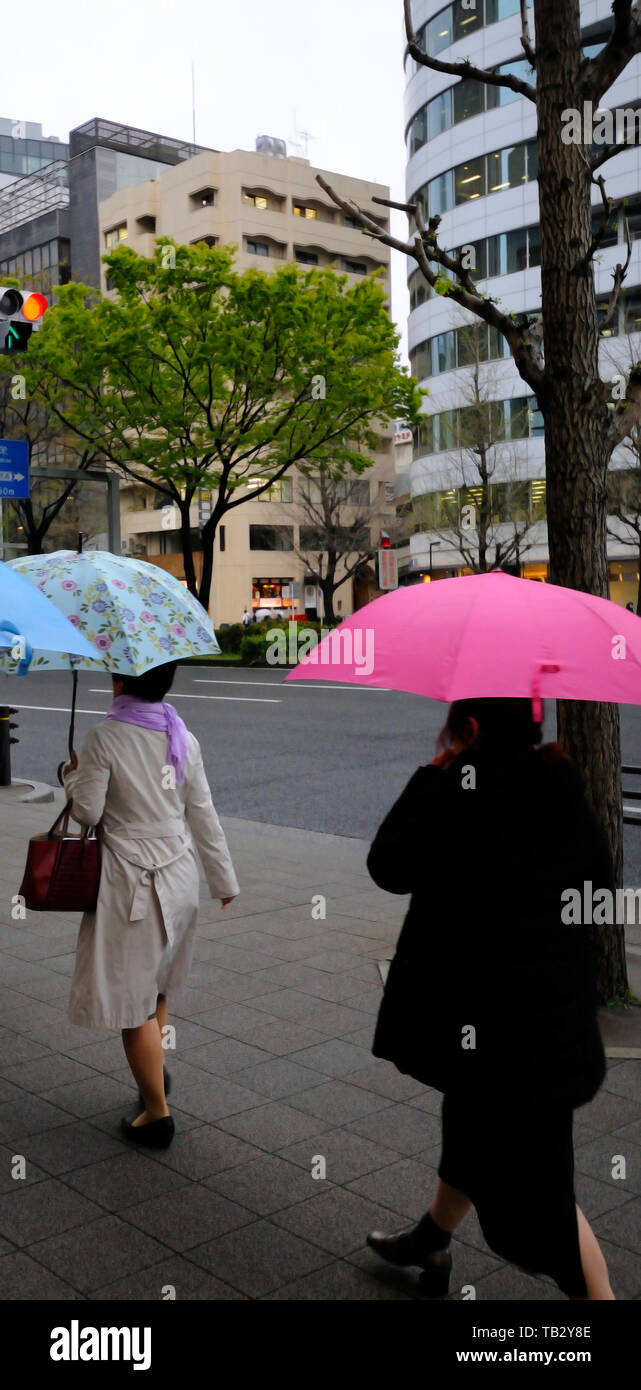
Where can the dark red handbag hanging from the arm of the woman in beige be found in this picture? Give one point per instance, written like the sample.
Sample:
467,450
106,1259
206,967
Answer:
63,871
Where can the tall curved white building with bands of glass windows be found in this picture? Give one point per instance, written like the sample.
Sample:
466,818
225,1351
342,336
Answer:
478,477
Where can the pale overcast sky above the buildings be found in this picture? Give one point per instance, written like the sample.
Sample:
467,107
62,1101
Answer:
333,69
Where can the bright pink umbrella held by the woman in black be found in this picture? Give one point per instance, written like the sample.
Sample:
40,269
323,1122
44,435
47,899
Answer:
487,636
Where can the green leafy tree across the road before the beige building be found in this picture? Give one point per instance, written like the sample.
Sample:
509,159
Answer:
197,376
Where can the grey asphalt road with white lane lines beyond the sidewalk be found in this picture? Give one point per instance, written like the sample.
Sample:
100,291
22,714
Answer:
318,757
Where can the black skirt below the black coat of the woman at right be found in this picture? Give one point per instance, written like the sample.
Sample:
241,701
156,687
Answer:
517,1166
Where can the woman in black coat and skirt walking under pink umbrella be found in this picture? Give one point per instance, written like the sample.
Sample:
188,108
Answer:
492,996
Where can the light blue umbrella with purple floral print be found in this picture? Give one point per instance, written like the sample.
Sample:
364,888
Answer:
134,614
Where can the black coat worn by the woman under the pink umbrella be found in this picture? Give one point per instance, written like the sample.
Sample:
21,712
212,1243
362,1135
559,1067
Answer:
483,946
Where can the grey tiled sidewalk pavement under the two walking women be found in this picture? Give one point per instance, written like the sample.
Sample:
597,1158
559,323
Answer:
272,1075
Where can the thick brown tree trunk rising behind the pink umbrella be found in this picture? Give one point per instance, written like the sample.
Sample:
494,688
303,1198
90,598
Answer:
576,420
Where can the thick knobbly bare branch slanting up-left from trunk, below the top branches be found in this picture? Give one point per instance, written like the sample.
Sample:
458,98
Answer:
425,250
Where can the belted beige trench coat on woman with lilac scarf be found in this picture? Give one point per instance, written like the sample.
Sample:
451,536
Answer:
140,940
